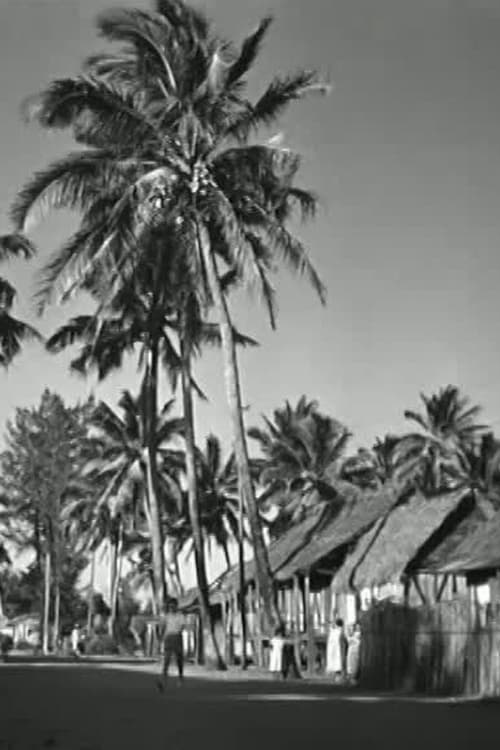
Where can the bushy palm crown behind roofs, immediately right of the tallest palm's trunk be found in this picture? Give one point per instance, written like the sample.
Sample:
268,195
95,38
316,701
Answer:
303,451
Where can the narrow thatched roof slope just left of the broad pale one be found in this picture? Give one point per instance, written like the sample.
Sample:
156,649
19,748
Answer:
357,516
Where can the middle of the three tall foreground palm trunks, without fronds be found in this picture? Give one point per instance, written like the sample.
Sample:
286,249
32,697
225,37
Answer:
207,622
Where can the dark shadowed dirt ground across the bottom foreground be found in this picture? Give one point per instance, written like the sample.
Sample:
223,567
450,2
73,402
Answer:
97,708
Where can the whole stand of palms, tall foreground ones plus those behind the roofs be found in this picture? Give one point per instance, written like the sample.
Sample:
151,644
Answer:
179,206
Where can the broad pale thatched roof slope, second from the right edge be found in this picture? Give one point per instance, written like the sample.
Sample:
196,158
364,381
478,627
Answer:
384,553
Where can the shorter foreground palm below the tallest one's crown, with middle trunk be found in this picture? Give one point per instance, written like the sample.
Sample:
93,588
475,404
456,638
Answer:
137,317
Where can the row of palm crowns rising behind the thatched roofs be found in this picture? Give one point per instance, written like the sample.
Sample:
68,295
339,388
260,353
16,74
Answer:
304,456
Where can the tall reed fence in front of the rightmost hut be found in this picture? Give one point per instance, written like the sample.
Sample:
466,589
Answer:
452,648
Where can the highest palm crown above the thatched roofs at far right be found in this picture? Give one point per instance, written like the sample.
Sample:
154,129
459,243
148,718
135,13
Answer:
447,428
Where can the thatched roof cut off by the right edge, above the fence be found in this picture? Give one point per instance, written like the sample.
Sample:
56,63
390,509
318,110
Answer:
478,551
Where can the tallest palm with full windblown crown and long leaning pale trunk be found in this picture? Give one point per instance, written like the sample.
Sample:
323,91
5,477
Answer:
169,115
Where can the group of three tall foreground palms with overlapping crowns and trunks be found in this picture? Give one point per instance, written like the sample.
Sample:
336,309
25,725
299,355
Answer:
179,205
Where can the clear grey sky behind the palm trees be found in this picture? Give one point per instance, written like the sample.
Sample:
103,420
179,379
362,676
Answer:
405,155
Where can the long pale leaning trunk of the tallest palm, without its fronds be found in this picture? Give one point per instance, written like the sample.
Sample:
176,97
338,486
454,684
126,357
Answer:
233,393
